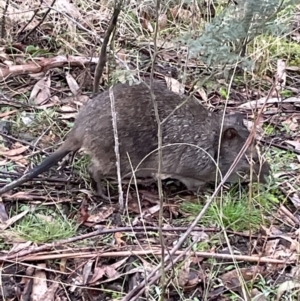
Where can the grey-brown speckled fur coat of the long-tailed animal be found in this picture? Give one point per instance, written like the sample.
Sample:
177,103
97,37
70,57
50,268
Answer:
194,130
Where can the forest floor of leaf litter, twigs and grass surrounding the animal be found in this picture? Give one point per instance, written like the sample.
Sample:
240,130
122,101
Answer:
60,241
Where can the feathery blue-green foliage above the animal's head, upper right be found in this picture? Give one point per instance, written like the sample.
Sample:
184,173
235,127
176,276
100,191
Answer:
223,40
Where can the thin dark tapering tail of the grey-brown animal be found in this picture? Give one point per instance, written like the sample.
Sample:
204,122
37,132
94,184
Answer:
44,166
